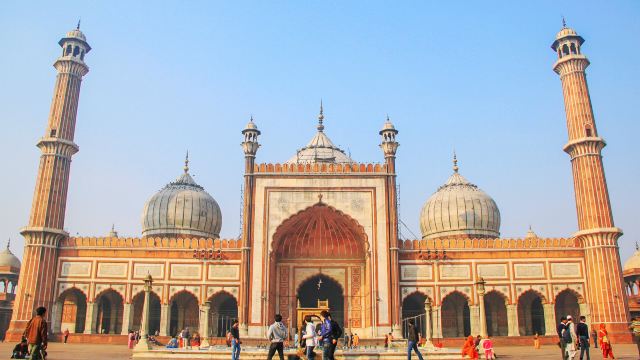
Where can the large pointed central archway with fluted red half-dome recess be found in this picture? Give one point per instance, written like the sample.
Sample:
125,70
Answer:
319,243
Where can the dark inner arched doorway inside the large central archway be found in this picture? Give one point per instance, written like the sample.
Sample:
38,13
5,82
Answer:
322,287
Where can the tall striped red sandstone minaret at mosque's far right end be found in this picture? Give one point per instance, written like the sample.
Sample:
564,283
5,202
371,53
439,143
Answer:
597,233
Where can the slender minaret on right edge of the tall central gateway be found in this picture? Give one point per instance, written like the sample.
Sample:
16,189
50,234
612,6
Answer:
389,147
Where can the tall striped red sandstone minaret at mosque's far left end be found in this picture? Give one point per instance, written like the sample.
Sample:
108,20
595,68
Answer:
46,222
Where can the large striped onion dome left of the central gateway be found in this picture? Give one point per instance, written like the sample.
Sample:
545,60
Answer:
182,209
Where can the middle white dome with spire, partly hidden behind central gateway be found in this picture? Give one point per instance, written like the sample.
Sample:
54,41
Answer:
320,149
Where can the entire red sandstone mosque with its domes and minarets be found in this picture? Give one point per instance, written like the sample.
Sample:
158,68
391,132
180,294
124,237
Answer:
321,226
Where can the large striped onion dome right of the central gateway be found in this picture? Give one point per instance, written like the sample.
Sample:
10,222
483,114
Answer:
459,208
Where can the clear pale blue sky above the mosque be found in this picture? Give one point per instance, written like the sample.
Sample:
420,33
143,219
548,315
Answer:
170,76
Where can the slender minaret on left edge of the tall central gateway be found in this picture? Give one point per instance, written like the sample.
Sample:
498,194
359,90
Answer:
250,147
